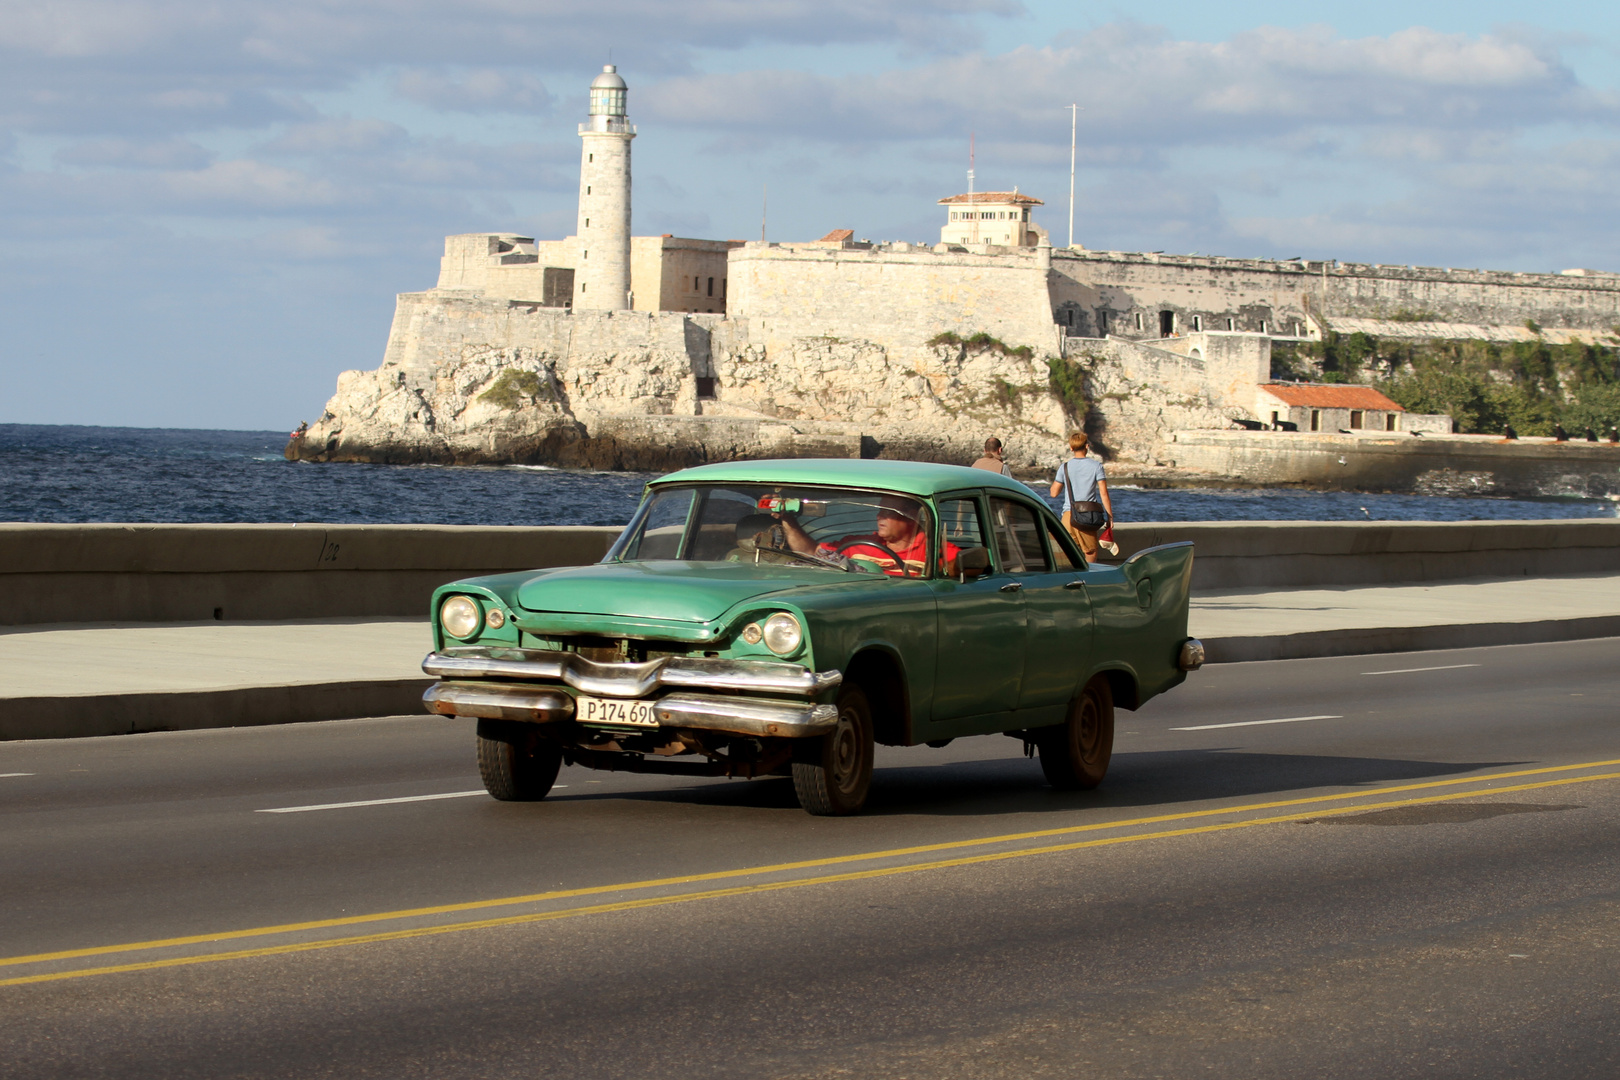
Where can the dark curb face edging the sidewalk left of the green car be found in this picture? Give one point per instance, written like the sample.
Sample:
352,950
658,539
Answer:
190,710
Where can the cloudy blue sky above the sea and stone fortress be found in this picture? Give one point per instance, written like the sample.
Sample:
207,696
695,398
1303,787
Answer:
208,206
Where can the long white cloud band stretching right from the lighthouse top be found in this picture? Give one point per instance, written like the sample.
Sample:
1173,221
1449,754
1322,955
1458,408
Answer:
1140,87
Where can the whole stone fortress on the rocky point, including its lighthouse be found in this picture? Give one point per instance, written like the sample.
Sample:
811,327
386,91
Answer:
644,352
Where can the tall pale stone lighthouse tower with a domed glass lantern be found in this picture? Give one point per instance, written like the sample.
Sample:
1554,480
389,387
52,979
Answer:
602,276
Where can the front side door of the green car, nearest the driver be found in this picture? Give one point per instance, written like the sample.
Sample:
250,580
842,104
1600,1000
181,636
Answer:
983,632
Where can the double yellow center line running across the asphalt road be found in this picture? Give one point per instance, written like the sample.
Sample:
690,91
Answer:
1321,804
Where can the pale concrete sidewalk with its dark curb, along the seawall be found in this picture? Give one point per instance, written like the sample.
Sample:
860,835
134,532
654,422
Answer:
108,679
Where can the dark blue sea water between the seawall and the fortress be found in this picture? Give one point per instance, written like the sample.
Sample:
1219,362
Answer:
62,474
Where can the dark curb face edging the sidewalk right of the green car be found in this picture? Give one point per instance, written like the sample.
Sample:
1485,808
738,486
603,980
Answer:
1368,640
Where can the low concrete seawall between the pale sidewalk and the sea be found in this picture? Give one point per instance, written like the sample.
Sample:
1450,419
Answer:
75,574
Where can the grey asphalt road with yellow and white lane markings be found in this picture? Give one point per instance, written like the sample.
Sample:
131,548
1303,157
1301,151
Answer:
1426,878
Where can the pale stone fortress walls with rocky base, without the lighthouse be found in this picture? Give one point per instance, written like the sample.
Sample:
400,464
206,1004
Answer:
827,349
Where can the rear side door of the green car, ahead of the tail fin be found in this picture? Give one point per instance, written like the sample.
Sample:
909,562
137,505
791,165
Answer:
1057,611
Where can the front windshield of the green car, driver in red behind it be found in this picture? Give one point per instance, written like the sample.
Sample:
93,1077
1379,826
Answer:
830,529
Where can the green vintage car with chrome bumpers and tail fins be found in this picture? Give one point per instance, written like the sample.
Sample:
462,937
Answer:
783,618
